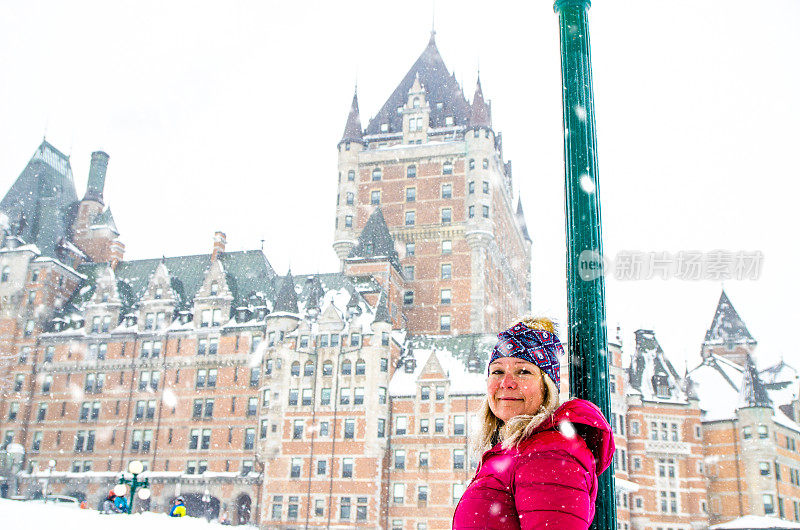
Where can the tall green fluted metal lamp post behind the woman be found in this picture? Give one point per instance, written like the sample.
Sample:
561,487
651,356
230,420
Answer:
587,338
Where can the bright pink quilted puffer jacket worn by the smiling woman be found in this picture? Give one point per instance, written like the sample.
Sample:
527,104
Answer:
549,481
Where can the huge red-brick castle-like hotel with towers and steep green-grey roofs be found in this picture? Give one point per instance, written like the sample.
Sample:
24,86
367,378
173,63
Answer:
344,399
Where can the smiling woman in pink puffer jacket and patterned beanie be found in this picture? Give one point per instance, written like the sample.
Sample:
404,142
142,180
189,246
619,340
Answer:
541,460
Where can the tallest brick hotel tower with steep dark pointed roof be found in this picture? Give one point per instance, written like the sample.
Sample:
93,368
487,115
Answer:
433,163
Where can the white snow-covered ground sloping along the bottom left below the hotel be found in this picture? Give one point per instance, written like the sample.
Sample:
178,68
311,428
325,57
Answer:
33,515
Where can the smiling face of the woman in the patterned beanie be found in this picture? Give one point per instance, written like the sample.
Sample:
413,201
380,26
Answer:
514,387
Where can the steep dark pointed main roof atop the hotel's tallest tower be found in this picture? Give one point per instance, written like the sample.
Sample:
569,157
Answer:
442,92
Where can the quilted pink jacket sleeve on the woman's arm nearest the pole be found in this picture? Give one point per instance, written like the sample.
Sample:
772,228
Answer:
552,489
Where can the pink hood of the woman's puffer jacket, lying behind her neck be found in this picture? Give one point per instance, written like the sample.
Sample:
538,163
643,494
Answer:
583,418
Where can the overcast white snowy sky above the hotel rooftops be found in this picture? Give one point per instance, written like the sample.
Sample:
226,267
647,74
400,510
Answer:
225,116
